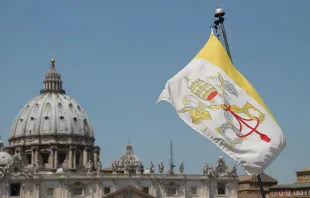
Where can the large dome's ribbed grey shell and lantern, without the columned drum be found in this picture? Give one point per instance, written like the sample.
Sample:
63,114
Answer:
51,113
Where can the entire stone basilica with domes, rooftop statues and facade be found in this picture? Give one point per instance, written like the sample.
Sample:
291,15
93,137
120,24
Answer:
51,153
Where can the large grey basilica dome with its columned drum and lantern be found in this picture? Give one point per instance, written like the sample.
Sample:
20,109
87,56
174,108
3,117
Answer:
52,130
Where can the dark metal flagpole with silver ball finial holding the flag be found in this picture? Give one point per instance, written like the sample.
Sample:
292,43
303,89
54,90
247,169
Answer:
219,24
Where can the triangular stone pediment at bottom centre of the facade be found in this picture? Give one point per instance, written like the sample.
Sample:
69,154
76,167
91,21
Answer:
128,191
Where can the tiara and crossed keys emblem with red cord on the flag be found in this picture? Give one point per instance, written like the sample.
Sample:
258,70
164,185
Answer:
215,94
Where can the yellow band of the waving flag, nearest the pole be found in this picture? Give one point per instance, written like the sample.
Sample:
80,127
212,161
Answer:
215,53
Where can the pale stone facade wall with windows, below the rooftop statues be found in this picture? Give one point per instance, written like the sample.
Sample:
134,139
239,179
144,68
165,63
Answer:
30,183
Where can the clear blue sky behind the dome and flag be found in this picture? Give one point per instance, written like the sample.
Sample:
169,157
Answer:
116,56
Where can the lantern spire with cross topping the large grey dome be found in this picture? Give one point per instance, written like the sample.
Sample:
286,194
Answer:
52,81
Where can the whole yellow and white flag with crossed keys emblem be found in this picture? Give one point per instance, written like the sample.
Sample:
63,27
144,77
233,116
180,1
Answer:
217,101
